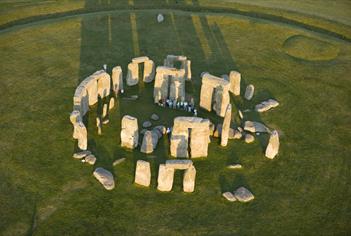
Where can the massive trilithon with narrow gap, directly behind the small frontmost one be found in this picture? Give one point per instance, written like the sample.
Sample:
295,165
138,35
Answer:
198,129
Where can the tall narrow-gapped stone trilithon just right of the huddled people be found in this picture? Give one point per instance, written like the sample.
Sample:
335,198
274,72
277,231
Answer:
214,93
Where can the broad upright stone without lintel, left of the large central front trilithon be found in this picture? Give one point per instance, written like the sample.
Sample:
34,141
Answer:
129,132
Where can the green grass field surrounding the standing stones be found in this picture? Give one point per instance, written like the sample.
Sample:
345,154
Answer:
304,191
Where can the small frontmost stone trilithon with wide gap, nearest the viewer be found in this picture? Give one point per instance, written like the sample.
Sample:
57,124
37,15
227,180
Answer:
166,175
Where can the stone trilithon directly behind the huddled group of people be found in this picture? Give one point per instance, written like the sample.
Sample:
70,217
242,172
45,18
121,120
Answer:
169,83
